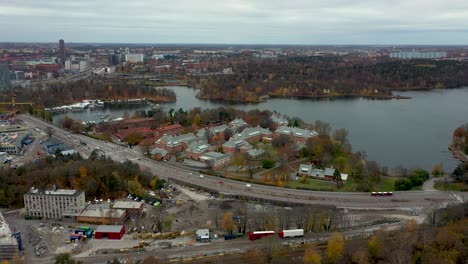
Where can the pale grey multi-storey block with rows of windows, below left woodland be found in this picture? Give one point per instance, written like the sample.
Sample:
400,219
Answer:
54,204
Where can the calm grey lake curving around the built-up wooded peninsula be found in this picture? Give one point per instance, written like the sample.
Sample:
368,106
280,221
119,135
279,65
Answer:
412,133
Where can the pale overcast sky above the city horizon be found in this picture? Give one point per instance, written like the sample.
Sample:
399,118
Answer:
237,21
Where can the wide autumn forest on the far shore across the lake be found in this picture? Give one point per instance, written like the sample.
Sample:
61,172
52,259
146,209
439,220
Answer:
328,77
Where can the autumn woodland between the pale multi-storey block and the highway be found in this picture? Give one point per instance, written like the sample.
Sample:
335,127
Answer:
98,176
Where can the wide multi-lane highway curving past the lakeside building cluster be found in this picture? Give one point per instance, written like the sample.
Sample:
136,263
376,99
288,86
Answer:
408,200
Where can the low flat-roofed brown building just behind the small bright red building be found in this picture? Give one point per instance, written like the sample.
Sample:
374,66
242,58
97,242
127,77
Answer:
103,216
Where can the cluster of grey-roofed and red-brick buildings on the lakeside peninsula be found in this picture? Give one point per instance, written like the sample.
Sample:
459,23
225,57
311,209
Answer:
210,145
